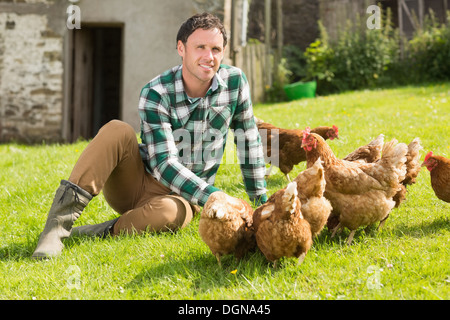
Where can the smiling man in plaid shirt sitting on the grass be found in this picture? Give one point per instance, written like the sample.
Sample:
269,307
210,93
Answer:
152,185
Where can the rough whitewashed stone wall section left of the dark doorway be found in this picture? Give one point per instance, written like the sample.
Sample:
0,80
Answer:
31,70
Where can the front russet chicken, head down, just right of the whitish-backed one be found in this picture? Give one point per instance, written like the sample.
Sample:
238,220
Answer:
281,230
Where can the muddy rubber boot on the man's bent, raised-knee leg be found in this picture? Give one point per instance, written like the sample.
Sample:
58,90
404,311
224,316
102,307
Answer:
69,202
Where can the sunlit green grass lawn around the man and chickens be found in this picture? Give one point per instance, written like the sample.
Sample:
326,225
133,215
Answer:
409,258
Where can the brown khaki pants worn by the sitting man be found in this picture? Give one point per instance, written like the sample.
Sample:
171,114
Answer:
112,163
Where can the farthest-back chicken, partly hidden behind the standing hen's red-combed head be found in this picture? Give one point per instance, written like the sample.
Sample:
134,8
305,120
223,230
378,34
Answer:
287,150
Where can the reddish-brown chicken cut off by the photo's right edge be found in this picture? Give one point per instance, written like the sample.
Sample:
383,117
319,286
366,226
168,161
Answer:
439,168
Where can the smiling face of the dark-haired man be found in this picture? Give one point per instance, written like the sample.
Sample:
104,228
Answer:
202,55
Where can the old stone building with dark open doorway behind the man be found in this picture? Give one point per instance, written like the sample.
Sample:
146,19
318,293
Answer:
58,83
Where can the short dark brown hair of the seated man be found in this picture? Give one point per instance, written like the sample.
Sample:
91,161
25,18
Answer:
205,21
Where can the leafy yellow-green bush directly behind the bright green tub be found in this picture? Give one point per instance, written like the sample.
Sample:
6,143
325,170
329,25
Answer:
358,58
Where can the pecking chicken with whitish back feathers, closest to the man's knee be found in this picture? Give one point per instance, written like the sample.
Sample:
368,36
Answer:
226,225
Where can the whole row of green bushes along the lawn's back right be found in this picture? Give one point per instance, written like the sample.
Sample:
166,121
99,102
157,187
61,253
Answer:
369,58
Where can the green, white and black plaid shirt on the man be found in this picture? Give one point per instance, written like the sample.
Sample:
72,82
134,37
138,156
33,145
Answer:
183,139
